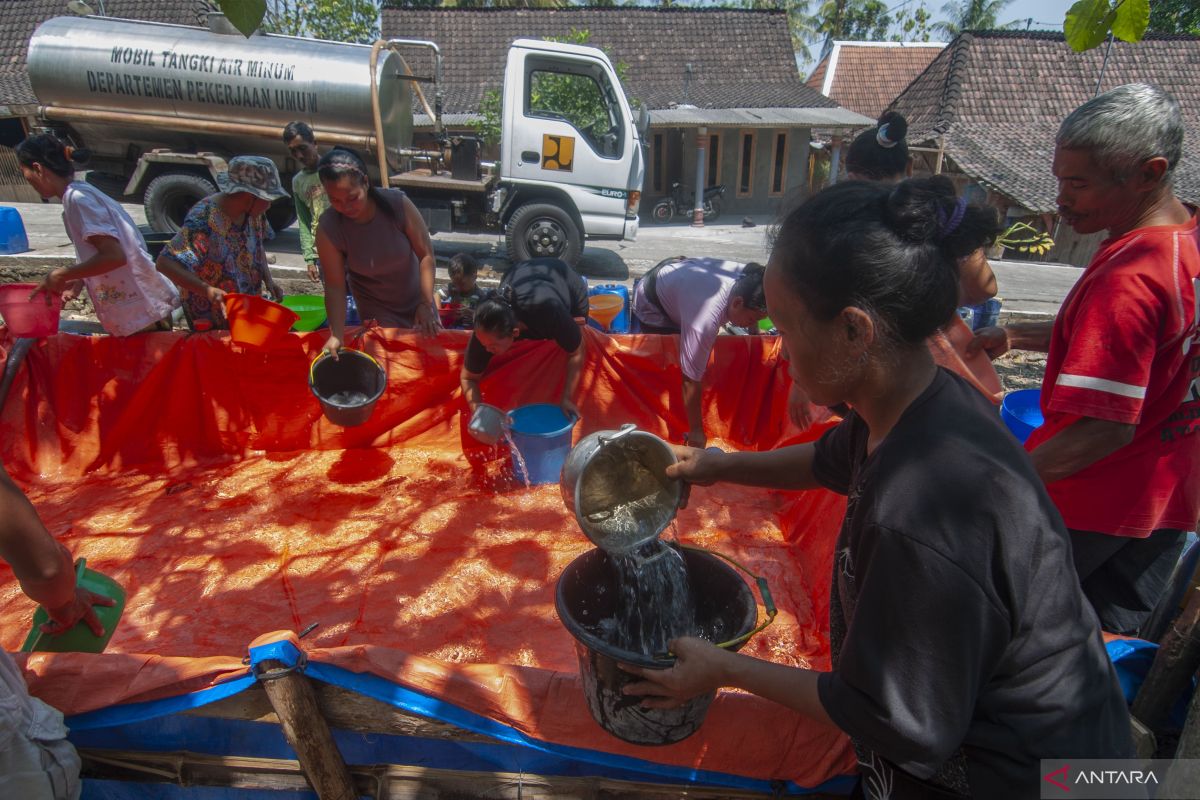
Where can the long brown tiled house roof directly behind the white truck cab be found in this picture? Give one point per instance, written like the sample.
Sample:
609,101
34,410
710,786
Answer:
740,59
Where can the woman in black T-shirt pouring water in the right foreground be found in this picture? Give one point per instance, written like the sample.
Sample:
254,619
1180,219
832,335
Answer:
963,651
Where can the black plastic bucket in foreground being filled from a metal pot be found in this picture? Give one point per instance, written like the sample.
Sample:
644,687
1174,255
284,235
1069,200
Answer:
587,591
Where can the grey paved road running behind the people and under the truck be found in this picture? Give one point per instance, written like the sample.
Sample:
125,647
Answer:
1027,288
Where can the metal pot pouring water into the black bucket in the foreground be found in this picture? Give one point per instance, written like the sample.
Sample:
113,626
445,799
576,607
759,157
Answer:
615,483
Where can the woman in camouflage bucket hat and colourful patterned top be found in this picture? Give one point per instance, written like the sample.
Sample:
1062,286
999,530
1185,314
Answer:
219,249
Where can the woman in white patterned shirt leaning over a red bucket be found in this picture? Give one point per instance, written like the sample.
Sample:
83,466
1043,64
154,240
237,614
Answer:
113,263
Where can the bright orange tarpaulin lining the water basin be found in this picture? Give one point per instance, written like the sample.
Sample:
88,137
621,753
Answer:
203,478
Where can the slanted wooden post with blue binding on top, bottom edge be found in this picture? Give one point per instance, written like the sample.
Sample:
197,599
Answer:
296,703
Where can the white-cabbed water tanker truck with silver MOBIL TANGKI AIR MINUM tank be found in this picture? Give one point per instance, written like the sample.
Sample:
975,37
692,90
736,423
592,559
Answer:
164,107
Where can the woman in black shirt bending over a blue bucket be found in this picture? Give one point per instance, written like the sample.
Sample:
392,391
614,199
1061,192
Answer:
539,299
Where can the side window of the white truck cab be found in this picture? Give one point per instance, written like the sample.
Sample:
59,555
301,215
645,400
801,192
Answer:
583,101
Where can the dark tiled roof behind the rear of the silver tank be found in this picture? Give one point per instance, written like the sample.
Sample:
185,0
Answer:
19,19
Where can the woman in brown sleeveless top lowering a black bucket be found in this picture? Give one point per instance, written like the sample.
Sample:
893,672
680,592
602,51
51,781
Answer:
374,242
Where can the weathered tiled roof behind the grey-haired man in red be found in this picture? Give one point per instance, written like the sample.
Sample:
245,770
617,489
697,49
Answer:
997,100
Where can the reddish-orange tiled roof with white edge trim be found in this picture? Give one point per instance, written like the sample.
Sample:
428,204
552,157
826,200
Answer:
866,77
